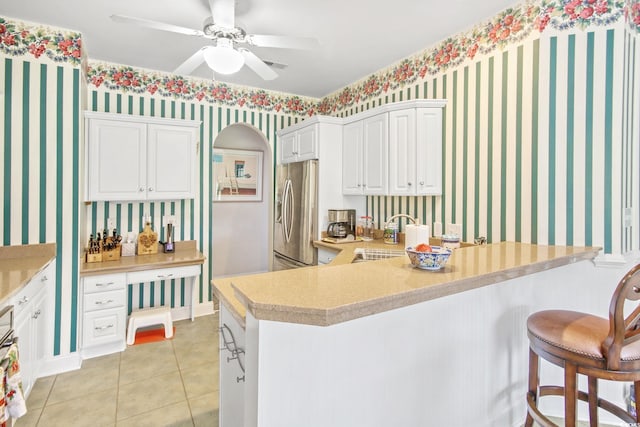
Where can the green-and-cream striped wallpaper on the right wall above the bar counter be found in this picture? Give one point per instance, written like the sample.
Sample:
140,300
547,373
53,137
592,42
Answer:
534,140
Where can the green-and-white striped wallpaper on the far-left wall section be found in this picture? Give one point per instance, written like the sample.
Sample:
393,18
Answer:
41,111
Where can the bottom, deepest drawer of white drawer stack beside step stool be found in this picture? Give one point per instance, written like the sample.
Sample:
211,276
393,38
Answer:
103,326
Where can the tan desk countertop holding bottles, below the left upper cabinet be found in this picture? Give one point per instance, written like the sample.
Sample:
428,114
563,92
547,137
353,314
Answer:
186,253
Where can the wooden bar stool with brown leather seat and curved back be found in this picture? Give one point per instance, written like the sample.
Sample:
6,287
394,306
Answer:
589,345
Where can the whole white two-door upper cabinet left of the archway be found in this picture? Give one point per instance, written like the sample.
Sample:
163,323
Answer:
140,158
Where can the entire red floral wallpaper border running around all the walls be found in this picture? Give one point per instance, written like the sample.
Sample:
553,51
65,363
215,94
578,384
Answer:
510,26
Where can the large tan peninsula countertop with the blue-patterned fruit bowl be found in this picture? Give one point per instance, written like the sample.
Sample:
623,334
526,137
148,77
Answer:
342,291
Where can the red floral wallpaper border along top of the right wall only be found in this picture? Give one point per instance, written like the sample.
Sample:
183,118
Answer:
510,26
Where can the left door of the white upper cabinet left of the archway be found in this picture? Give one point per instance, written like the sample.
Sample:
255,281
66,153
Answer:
116,169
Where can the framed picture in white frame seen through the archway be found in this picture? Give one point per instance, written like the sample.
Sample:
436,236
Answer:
237,175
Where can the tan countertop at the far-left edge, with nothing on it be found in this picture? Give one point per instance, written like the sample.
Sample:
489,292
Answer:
20,263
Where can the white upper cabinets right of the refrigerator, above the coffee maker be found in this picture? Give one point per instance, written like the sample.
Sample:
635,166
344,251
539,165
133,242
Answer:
395,150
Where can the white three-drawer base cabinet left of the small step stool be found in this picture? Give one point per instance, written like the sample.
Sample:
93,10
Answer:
104,314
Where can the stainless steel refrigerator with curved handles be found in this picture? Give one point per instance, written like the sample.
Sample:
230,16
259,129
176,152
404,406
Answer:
296,216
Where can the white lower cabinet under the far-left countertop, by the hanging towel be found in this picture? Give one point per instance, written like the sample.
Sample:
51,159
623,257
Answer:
32,325
